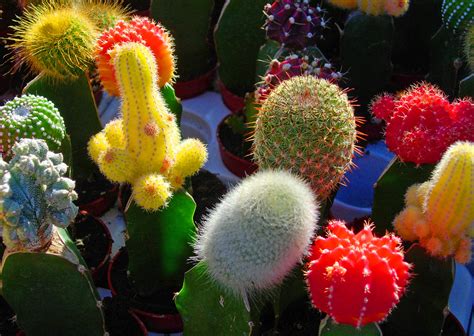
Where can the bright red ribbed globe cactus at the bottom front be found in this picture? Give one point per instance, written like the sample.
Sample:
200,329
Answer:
356,278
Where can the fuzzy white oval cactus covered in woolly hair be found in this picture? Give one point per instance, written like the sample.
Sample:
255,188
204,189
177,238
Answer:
258,232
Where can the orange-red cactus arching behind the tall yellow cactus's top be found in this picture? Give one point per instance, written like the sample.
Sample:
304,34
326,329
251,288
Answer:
141,30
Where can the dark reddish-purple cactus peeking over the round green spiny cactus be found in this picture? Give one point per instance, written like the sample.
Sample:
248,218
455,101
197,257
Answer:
291,66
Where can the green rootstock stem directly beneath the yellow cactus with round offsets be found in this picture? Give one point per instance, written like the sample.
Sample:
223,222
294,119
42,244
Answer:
159,243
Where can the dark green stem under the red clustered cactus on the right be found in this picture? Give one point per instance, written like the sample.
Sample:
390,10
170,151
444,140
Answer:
390,189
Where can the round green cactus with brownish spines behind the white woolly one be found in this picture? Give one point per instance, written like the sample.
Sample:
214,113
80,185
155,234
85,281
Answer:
307,126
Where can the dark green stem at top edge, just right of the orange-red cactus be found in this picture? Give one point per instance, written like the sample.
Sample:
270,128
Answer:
189,23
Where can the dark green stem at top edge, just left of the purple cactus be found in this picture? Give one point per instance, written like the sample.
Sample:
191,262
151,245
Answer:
238,38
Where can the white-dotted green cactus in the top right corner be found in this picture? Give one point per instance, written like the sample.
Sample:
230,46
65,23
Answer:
457,14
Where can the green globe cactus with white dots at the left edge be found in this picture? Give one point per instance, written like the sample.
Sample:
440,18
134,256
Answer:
30,116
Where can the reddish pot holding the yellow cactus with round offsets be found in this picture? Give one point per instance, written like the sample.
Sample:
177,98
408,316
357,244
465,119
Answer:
162,323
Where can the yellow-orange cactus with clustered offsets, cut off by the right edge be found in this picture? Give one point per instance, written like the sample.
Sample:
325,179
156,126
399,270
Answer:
440,212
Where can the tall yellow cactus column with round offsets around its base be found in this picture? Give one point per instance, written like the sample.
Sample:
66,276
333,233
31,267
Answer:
144,147
